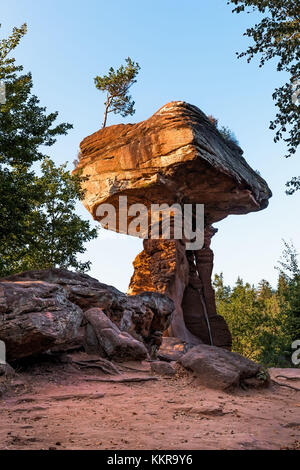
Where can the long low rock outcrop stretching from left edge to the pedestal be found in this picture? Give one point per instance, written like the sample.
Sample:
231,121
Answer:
44,309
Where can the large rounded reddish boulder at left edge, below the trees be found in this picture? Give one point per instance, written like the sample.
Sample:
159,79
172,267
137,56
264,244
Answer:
34,316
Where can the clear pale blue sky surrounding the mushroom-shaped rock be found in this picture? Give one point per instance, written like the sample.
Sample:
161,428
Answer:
187,52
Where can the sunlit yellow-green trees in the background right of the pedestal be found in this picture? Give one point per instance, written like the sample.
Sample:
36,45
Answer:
264,322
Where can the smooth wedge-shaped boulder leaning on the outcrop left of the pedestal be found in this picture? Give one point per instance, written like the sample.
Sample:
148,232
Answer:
105,338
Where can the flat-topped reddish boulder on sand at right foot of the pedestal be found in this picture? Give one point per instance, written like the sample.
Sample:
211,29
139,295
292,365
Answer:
218,368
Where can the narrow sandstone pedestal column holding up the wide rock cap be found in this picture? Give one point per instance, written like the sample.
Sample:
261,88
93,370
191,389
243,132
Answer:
185,276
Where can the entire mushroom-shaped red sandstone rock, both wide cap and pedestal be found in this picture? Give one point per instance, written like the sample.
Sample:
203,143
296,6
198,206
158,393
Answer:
175,157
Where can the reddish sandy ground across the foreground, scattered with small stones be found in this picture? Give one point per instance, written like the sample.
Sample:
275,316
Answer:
58,406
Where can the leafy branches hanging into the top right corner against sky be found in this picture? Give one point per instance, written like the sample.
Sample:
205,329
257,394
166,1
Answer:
277,36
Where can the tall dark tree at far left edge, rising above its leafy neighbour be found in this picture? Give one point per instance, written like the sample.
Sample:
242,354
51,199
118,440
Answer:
24,126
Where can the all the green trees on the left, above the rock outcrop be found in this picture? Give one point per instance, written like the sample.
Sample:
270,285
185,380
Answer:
25,199
